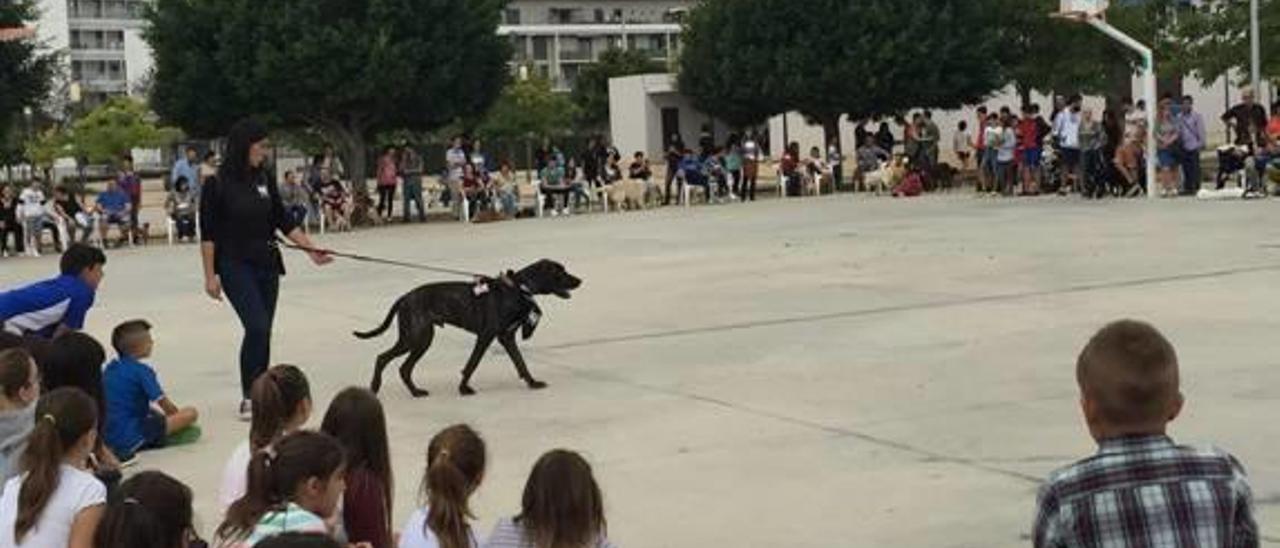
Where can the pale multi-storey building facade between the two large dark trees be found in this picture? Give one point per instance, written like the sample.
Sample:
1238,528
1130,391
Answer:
555,39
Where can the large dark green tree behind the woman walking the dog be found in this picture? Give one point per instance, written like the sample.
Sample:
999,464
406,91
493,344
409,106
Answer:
349,68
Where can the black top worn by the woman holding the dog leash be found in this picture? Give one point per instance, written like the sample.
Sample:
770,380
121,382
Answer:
241,218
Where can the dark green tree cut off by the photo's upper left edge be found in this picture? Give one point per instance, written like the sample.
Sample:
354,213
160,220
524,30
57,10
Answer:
25,72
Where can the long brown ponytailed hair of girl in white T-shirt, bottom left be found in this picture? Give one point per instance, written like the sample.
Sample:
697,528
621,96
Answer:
63,418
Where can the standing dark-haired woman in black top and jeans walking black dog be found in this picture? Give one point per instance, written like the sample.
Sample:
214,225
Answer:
241,213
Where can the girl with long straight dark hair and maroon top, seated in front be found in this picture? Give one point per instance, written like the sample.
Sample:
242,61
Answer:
358,422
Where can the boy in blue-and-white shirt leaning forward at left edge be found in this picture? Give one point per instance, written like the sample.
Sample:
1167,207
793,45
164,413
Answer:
47,309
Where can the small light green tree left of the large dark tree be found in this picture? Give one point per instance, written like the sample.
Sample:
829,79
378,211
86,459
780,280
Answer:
113,130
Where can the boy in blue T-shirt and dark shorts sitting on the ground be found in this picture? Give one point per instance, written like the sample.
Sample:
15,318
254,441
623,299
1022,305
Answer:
139,414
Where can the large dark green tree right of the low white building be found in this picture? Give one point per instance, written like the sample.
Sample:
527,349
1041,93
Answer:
746,61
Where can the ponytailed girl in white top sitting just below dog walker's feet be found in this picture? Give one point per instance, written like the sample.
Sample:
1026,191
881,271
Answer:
282,404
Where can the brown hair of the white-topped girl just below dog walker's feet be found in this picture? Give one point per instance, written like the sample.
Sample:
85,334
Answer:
276,396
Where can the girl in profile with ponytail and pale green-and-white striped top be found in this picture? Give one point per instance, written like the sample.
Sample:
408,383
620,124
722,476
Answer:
294,486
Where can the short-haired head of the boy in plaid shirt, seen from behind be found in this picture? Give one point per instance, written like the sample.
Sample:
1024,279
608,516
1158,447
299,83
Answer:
1128,377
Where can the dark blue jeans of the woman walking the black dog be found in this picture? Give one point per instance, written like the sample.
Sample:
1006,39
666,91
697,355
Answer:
253,291
